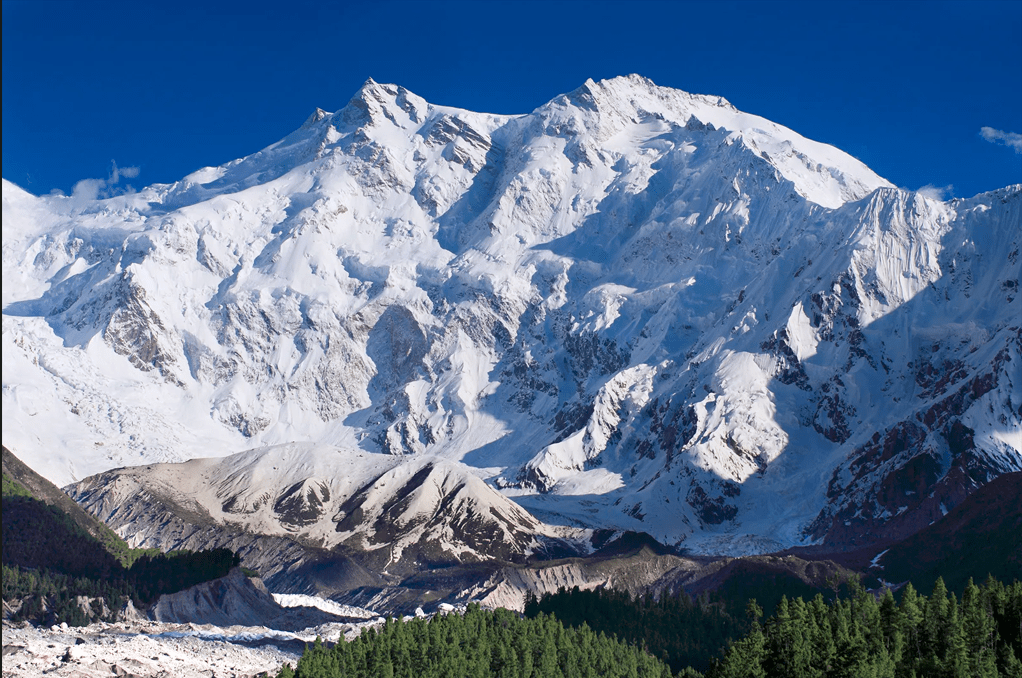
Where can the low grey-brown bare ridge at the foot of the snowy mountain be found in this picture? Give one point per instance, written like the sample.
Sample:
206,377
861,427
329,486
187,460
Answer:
291,511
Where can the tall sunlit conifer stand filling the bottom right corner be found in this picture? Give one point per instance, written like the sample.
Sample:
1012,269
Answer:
940,637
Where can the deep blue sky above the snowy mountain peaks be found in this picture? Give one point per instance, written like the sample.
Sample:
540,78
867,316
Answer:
167,88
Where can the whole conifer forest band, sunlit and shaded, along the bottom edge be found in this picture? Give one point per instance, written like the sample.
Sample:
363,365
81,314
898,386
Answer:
859,635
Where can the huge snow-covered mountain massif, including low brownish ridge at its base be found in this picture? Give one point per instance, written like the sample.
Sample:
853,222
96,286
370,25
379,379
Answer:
413,326
